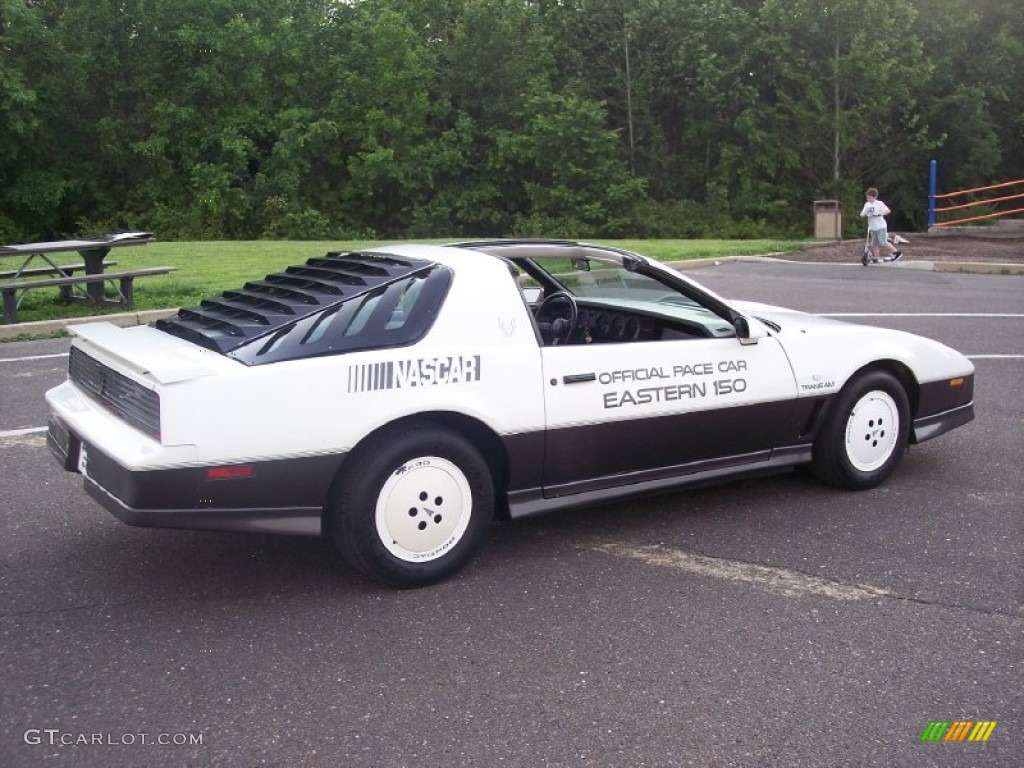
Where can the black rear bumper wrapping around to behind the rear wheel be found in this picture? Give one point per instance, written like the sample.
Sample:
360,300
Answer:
285,496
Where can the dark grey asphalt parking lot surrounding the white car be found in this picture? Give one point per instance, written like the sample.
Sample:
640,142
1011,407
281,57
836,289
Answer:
763,623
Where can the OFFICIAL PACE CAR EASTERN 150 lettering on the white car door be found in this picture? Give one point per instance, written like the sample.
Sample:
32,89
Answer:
660,383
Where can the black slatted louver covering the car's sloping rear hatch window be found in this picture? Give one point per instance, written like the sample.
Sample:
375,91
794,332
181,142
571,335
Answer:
262,308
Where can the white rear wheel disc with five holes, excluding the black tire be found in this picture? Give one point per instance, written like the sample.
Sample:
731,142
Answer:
423,509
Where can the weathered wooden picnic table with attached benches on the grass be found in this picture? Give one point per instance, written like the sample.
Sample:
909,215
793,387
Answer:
89,287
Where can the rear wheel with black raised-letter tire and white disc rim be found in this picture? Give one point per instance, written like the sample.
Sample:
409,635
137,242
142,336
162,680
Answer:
413,506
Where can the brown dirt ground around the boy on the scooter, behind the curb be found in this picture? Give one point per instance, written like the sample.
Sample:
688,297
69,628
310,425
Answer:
923,248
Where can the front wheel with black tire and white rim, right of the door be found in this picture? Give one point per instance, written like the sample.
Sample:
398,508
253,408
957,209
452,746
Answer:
865,435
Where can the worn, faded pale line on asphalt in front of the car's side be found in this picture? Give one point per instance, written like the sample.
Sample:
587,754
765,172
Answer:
779,581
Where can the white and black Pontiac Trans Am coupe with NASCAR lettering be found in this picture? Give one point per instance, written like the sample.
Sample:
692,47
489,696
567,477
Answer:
396,400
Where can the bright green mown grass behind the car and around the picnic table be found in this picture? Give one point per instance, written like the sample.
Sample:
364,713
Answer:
206,269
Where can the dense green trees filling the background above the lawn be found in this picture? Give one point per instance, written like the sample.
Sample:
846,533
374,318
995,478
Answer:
328,119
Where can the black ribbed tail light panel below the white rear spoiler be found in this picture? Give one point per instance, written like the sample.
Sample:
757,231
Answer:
129,400
